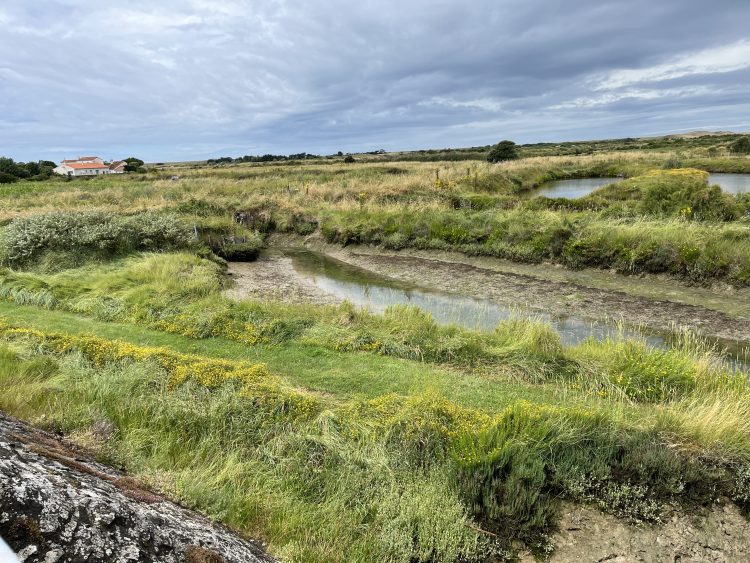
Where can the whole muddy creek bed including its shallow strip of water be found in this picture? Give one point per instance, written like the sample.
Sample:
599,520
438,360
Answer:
475,297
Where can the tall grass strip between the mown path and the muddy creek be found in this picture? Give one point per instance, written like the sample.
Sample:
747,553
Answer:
180,293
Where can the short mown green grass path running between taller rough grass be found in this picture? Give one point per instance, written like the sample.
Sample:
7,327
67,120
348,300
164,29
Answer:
317,368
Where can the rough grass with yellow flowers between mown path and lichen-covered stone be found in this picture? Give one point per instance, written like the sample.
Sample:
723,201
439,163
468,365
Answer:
324,477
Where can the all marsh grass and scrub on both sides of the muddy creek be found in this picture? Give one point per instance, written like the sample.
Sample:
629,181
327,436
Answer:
340,435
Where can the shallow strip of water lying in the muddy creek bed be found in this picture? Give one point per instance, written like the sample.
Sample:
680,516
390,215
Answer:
368,290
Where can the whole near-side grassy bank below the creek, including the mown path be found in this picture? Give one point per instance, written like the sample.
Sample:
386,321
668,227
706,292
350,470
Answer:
350,431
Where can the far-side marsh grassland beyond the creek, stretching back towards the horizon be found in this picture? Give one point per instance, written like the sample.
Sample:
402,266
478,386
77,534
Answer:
664,218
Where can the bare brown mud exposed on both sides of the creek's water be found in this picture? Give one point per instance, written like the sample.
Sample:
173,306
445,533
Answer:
655,304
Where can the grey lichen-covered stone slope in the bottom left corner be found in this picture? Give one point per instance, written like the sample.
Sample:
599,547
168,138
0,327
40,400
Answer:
57,505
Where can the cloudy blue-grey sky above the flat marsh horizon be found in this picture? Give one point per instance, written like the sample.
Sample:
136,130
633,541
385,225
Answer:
190,79
